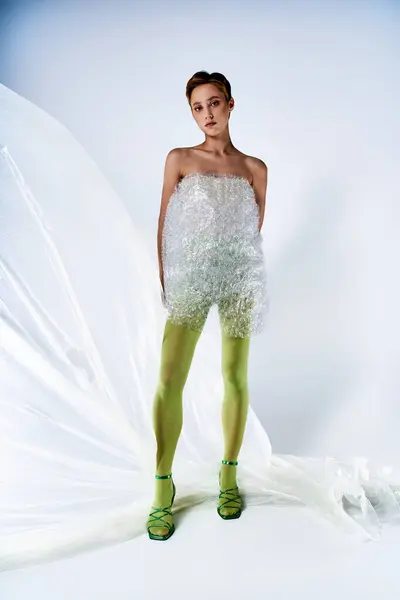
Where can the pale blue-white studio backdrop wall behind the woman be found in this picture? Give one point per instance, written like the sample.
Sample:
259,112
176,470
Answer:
317,95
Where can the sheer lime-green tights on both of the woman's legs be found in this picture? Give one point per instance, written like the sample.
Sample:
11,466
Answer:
178,346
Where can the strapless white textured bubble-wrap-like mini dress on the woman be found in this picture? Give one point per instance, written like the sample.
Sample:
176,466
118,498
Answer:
212,254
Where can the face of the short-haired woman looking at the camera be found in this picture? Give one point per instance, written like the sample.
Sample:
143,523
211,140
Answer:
209,105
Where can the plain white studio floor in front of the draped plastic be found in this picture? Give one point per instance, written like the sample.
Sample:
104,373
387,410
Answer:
280,553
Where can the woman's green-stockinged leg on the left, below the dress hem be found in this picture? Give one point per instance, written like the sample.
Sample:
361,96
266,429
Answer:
178,346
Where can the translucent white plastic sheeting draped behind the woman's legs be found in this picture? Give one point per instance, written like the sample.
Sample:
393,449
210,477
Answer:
81,329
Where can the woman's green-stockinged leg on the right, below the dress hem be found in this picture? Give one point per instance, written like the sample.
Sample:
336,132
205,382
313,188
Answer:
235,353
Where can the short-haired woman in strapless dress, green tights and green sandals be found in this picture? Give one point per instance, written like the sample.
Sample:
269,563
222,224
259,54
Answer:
209,249
